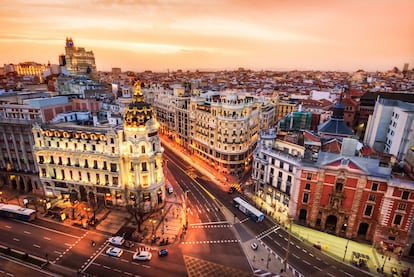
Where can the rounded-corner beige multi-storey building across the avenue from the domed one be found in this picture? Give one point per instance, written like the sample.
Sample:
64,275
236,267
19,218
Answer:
224,129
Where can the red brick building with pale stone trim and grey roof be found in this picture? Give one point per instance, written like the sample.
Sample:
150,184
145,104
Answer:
355,197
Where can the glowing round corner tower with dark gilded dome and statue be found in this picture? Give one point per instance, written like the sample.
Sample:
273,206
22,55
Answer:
141,153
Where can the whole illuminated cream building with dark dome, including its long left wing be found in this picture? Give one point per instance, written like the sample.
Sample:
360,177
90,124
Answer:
114,165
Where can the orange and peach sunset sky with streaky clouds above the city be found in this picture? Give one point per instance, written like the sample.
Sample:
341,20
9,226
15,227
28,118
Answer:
163,35
